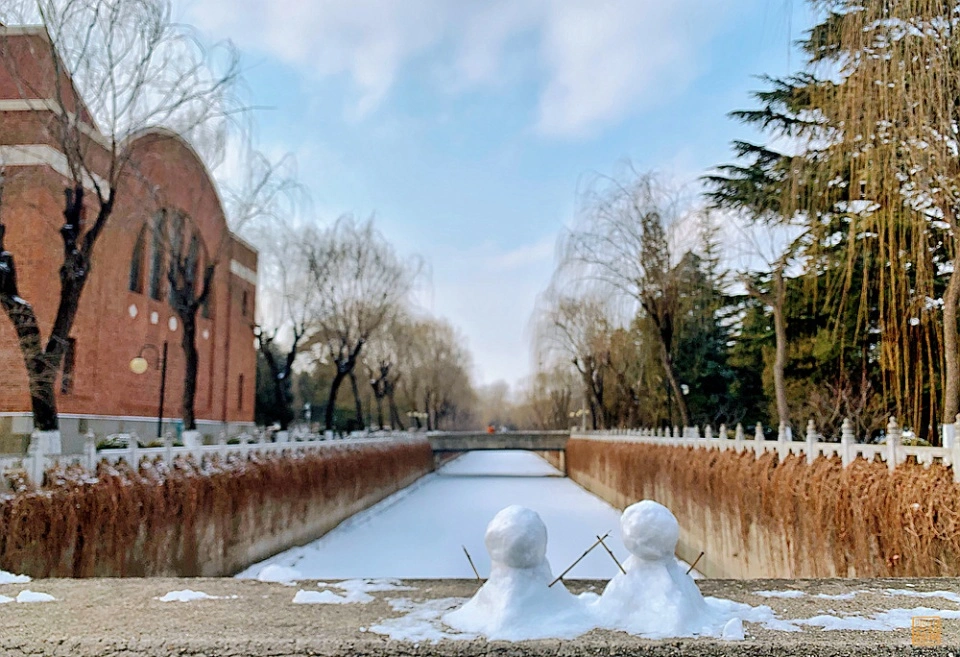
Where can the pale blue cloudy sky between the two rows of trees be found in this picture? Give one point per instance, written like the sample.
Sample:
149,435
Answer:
468,128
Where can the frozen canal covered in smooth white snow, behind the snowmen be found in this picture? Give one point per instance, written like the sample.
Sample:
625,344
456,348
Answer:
419,532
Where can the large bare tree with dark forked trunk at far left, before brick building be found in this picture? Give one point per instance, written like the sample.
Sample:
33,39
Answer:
100,73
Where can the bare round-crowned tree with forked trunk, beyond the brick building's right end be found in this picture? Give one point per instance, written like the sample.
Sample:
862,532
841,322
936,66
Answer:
361,284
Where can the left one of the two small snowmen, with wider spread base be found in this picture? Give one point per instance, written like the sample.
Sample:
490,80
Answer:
516,602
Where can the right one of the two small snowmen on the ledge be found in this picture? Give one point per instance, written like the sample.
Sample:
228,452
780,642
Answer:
655,597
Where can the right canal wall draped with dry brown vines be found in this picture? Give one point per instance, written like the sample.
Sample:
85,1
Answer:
758,517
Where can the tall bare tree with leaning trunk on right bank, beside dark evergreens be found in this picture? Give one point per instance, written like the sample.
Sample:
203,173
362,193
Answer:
624,243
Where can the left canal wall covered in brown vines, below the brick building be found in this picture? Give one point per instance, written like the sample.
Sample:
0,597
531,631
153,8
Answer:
209,518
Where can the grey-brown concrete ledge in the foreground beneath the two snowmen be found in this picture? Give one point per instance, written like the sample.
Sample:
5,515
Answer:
123,618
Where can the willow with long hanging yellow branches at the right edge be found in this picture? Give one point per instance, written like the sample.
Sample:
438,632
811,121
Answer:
894,118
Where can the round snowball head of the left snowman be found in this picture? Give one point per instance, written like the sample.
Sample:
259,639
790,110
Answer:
516,537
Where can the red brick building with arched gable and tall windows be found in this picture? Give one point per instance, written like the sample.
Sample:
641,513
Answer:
125,303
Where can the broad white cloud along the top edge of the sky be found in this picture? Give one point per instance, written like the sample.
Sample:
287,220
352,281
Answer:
595,60
